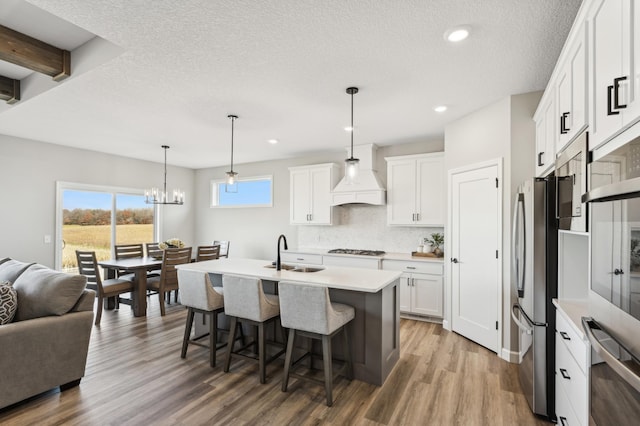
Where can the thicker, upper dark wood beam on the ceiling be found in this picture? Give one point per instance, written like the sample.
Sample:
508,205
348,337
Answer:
36,55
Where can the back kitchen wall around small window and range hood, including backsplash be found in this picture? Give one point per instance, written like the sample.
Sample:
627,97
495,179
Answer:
253,232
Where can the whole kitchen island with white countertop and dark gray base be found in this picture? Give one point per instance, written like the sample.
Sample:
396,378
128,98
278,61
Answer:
375,330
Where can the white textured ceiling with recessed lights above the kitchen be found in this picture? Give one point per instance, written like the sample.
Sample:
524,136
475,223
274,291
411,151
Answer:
283,66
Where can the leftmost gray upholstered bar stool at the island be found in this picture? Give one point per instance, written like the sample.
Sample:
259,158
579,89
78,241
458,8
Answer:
197,294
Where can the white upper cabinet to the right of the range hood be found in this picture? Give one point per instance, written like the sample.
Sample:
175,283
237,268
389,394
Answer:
416,190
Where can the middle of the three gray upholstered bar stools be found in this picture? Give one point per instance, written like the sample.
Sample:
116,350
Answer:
245,301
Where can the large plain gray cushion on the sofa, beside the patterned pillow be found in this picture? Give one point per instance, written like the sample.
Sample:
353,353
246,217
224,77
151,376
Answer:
43,292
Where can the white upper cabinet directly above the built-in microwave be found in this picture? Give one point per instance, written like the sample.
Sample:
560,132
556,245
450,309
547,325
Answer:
572,91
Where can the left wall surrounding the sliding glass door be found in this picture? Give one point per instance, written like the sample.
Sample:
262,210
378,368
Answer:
28,174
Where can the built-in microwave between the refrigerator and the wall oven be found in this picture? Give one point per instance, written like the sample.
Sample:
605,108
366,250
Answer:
571,184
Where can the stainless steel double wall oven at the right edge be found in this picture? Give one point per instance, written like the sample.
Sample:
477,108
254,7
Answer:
614,213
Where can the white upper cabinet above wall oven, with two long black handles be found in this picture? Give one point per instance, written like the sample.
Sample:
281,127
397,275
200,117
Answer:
614,83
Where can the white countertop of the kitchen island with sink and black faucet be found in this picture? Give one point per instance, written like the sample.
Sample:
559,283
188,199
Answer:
355,279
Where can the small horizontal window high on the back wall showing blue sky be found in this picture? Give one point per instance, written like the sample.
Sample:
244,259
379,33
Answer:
252,192
